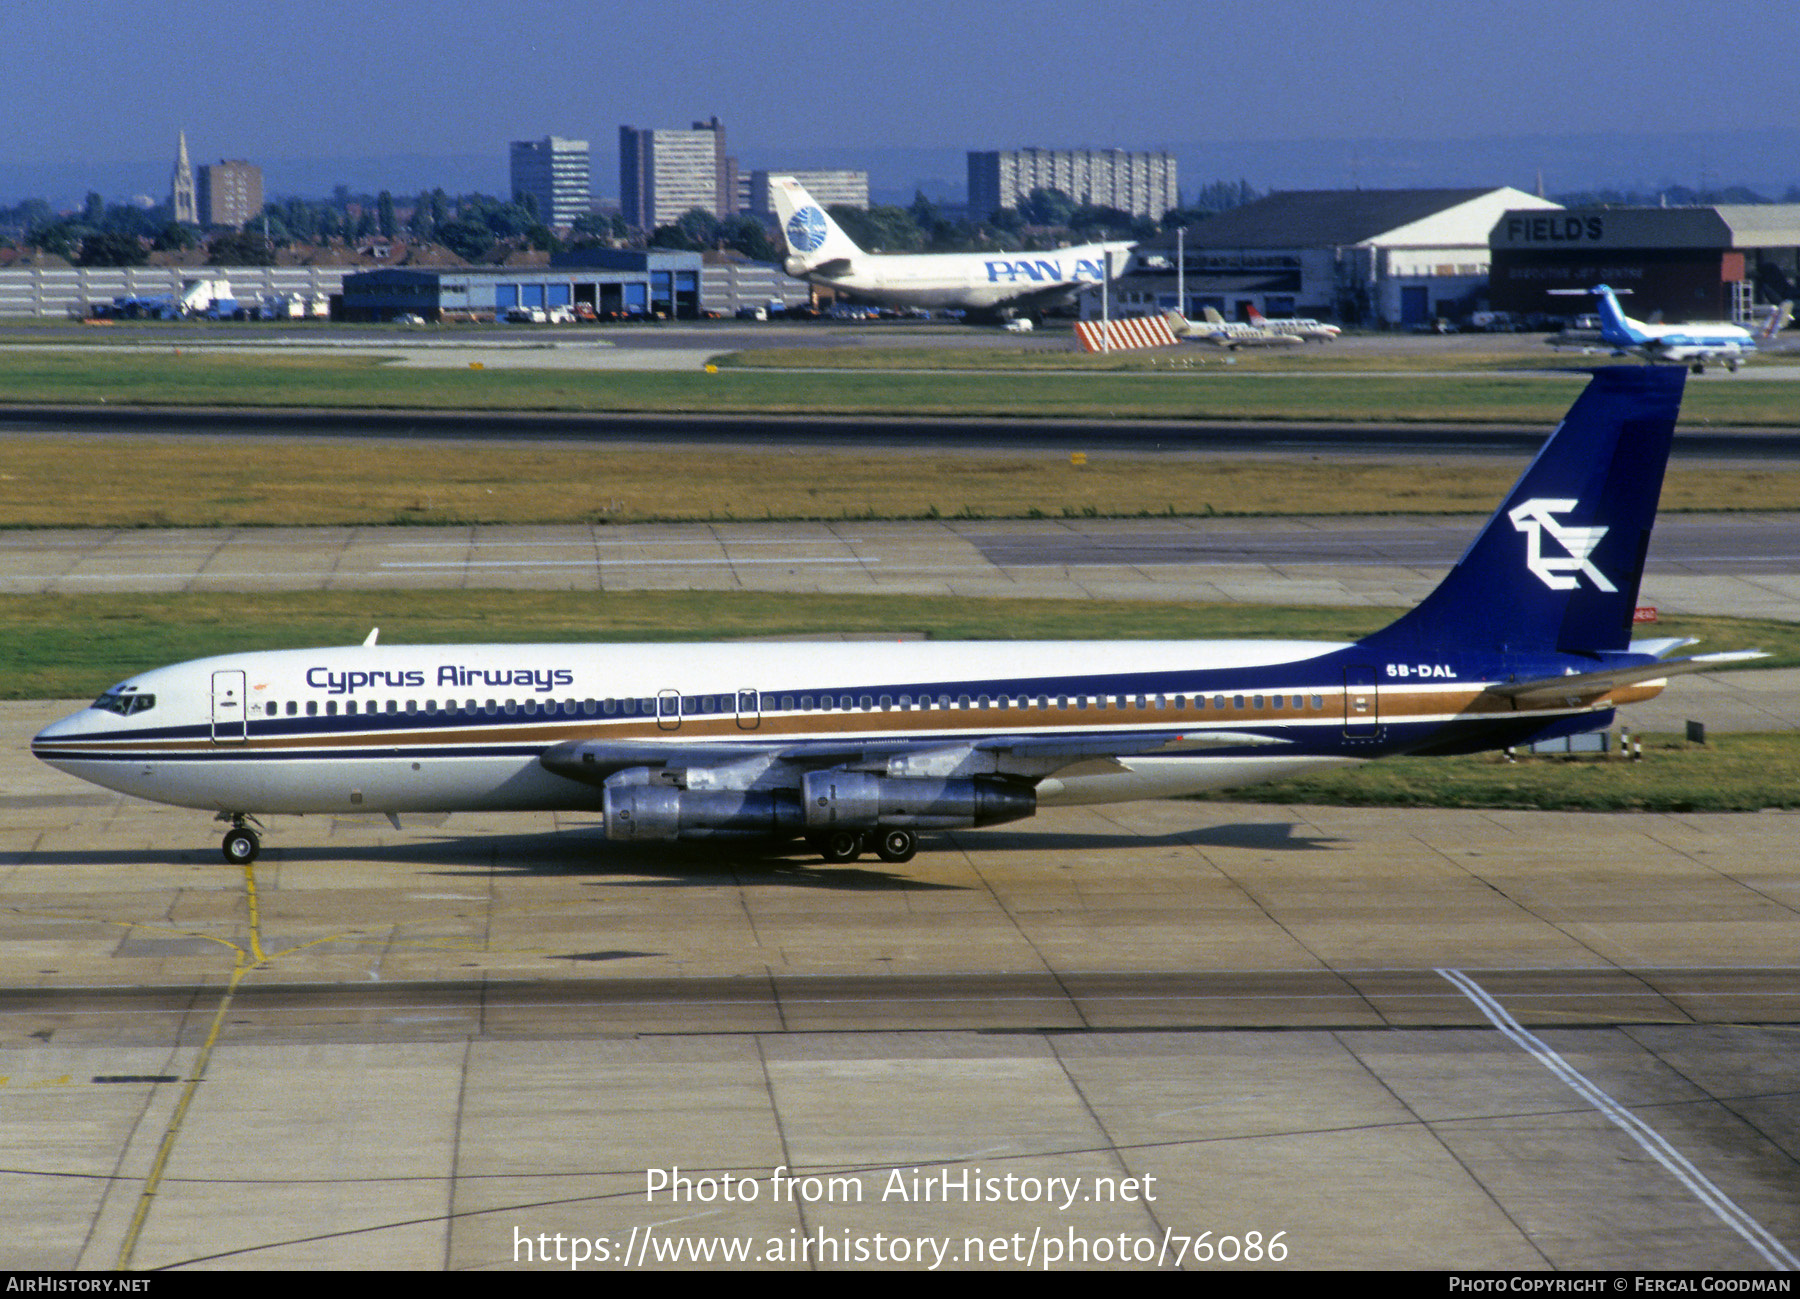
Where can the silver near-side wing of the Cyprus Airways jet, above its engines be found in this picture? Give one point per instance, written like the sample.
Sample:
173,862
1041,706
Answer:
593,762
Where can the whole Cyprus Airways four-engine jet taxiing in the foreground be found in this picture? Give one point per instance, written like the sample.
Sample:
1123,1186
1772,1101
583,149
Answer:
863,748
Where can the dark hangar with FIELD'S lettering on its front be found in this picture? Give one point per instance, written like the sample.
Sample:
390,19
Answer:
1691,264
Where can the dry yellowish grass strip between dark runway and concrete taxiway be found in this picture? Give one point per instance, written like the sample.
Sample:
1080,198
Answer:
161,483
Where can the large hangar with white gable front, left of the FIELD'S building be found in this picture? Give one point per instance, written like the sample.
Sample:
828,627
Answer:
1362,256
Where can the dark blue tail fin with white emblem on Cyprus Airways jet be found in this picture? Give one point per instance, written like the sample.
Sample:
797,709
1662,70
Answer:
1558,566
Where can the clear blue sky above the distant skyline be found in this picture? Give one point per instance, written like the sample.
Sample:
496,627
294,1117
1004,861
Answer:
105,80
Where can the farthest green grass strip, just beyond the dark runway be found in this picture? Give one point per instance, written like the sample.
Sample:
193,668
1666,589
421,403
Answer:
183,373
